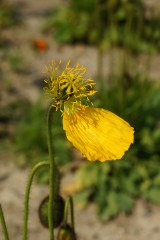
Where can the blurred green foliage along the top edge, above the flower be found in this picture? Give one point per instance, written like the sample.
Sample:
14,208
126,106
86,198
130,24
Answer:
106,23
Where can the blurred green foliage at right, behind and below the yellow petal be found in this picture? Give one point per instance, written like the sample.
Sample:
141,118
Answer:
114,186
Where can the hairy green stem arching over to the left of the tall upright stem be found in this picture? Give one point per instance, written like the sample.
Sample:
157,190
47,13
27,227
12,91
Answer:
28,189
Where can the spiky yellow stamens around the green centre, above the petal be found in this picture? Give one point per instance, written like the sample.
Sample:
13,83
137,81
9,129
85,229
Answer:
68,85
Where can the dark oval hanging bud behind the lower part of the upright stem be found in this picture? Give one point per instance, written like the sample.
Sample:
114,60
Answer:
58,211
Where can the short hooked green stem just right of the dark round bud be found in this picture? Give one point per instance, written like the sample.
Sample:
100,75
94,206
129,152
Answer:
69,201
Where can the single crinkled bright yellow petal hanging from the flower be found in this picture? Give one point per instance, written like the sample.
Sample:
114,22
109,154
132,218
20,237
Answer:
98,134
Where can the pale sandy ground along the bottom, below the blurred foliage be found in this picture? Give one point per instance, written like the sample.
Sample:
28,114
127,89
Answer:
143,224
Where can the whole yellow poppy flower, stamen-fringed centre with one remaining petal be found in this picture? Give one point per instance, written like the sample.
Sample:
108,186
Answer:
98,134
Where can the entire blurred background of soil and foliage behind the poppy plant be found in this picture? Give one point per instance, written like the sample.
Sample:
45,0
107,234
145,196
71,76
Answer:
118,41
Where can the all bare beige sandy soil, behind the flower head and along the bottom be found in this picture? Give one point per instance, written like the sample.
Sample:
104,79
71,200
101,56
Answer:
144,222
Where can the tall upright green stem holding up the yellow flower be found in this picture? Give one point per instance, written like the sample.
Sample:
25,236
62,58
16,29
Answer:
52,173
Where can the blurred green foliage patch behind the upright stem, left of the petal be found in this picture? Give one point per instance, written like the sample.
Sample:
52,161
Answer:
31,137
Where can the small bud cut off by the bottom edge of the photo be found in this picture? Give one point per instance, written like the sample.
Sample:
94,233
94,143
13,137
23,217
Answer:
66,233
